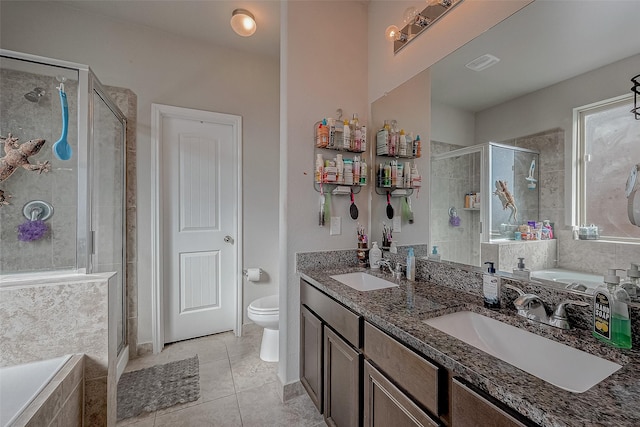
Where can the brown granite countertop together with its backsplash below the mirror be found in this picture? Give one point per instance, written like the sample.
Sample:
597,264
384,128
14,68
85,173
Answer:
442,288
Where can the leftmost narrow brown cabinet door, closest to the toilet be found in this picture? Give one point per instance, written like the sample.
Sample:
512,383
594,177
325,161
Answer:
311,355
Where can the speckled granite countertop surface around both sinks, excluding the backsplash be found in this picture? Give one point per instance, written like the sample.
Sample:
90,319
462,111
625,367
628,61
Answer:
400,311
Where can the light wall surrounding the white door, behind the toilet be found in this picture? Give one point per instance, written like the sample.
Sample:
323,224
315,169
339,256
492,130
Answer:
166,69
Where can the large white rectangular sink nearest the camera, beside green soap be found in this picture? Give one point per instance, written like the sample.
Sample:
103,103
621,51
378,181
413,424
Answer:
558,364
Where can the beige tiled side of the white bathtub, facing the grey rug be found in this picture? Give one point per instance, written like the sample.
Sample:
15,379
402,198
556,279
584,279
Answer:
60,402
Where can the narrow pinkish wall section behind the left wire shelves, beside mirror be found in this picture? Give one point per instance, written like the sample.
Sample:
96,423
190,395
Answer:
324,60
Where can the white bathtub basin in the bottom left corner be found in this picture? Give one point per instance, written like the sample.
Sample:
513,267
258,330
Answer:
21,384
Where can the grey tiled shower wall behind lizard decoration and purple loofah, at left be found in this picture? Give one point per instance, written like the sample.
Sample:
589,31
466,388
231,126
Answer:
29,120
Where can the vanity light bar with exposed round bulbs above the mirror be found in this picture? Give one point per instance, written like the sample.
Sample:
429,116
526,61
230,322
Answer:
416,22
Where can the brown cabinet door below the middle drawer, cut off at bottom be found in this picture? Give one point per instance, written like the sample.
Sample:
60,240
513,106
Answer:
385,405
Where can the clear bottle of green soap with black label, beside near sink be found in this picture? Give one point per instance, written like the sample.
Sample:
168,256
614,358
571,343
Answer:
611,323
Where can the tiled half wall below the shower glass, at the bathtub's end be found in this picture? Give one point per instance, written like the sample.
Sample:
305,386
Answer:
47,318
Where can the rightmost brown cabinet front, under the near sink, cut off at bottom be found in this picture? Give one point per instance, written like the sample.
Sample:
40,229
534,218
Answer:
471,409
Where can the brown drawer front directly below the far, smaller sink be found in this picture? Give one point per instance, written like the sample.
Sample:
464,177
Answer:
340,318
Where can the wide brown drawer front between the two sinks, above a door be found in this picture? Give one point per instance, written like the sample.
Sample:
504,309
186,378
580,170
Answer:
411,372
